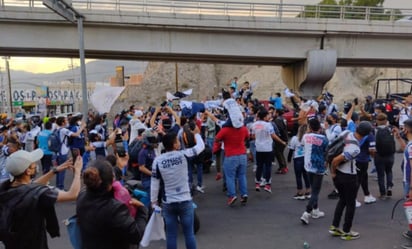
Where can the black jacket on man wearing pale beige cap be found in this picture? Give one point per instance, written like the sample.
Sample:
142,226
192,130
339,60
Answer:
31,209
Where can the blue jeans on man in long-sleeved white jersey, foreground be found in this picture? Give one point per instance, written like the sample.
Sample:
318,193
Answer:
174,213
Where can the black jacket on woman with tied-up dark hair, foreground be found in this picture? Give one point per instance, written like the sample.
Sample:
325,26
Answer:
106,223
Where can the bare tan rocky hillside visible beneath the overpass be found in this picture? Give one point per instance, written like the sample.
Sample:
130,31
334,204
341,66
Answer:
207,79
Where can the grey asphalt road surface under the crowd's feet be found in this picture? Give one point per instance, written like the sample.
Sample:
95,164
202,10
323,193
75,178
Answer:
272,220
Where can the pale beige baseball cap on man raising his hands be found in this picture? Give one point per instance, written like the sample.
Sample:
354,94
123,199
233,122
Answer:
20,160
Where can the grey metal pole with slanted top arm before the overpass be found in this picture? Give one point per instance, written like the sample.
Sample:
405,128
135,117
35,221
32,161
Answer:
67,11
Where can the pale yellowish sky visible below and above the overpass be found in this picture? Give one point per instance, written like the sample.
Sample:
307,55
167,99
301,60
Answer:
51,65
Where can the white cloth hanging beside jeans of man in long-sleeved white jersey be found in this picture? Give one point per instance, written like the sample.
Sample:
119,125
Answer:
155,228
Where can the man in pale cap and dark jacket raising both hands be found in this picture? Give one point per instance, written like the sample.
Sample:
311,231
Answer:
32,202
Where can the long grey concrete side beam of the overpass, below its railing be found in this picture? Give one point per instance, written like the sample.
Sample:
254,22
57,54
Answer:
164,43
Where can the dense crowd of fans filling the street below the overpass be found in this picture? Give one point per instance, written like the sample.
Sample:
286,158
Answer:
166,146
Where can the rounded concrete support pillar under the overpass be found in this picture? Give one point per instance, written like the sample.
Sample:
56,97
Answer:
309,76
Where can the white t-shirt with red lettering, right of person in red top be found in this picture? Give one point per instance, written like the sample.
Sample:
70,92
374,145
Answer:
263,135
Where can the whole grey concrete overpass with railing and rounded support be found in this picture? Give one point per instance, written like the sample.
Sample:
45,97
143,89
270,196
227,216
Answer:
308,48
